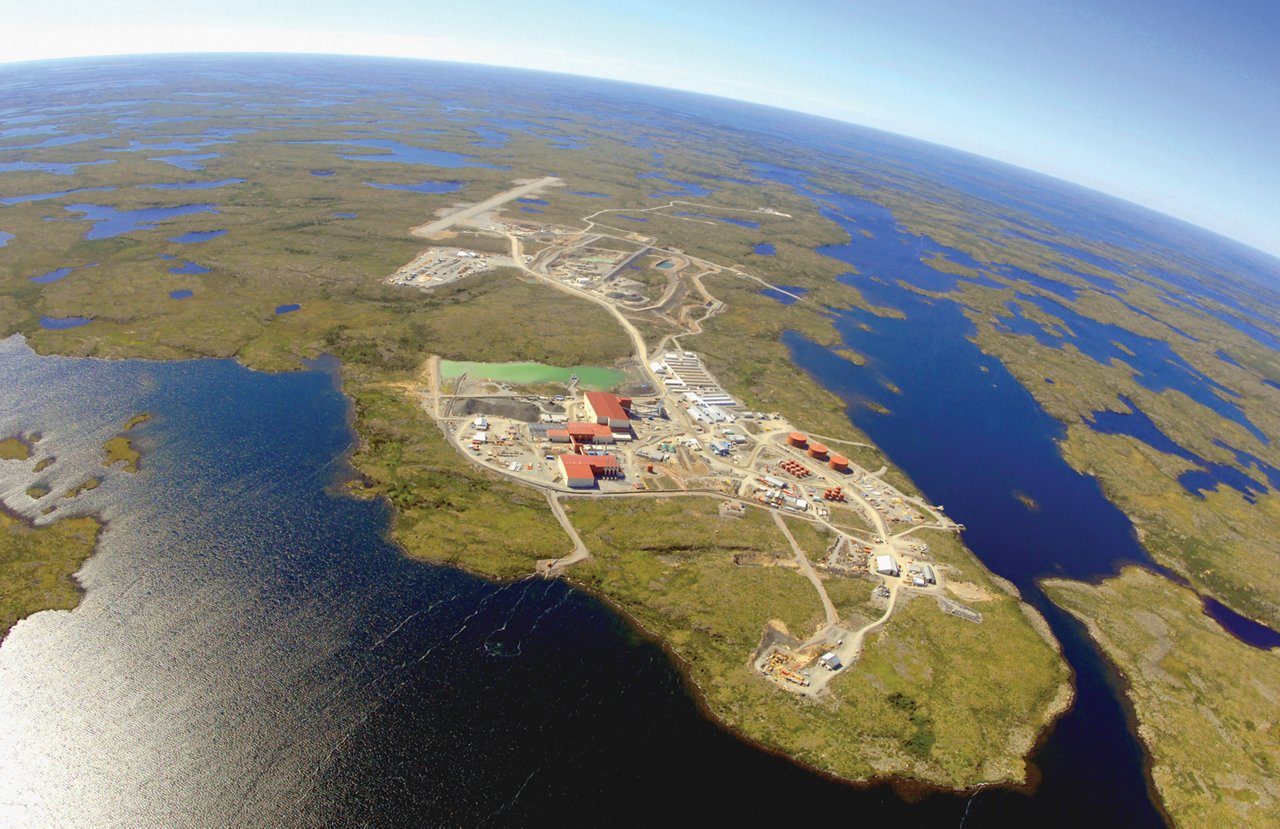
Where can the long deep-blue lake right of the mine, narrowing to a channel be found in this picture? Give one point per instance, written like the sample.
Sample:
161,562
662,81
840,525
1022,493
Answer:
971,437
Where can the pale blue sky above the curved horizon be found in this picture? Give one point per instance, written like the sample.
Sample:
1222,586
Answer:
1172,104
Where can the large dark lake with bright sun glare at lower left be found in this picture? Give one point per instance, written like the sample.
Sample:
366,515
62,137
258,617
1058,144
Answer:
252,651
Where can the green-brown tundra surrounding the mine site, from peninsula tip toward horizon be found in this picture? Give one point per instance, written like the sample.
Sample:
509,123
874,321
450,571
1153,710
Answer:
917,706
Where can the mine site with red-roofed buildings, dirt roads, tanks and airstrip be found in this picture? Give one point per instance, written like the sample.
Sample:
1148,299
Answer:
669,429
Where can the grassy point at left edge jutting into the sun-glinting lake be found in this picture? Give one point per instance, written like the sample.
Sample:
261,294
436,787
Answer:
36,566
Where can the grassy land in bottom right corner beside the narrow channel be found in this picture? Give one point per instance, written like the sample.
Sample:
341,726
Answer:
1206,704
